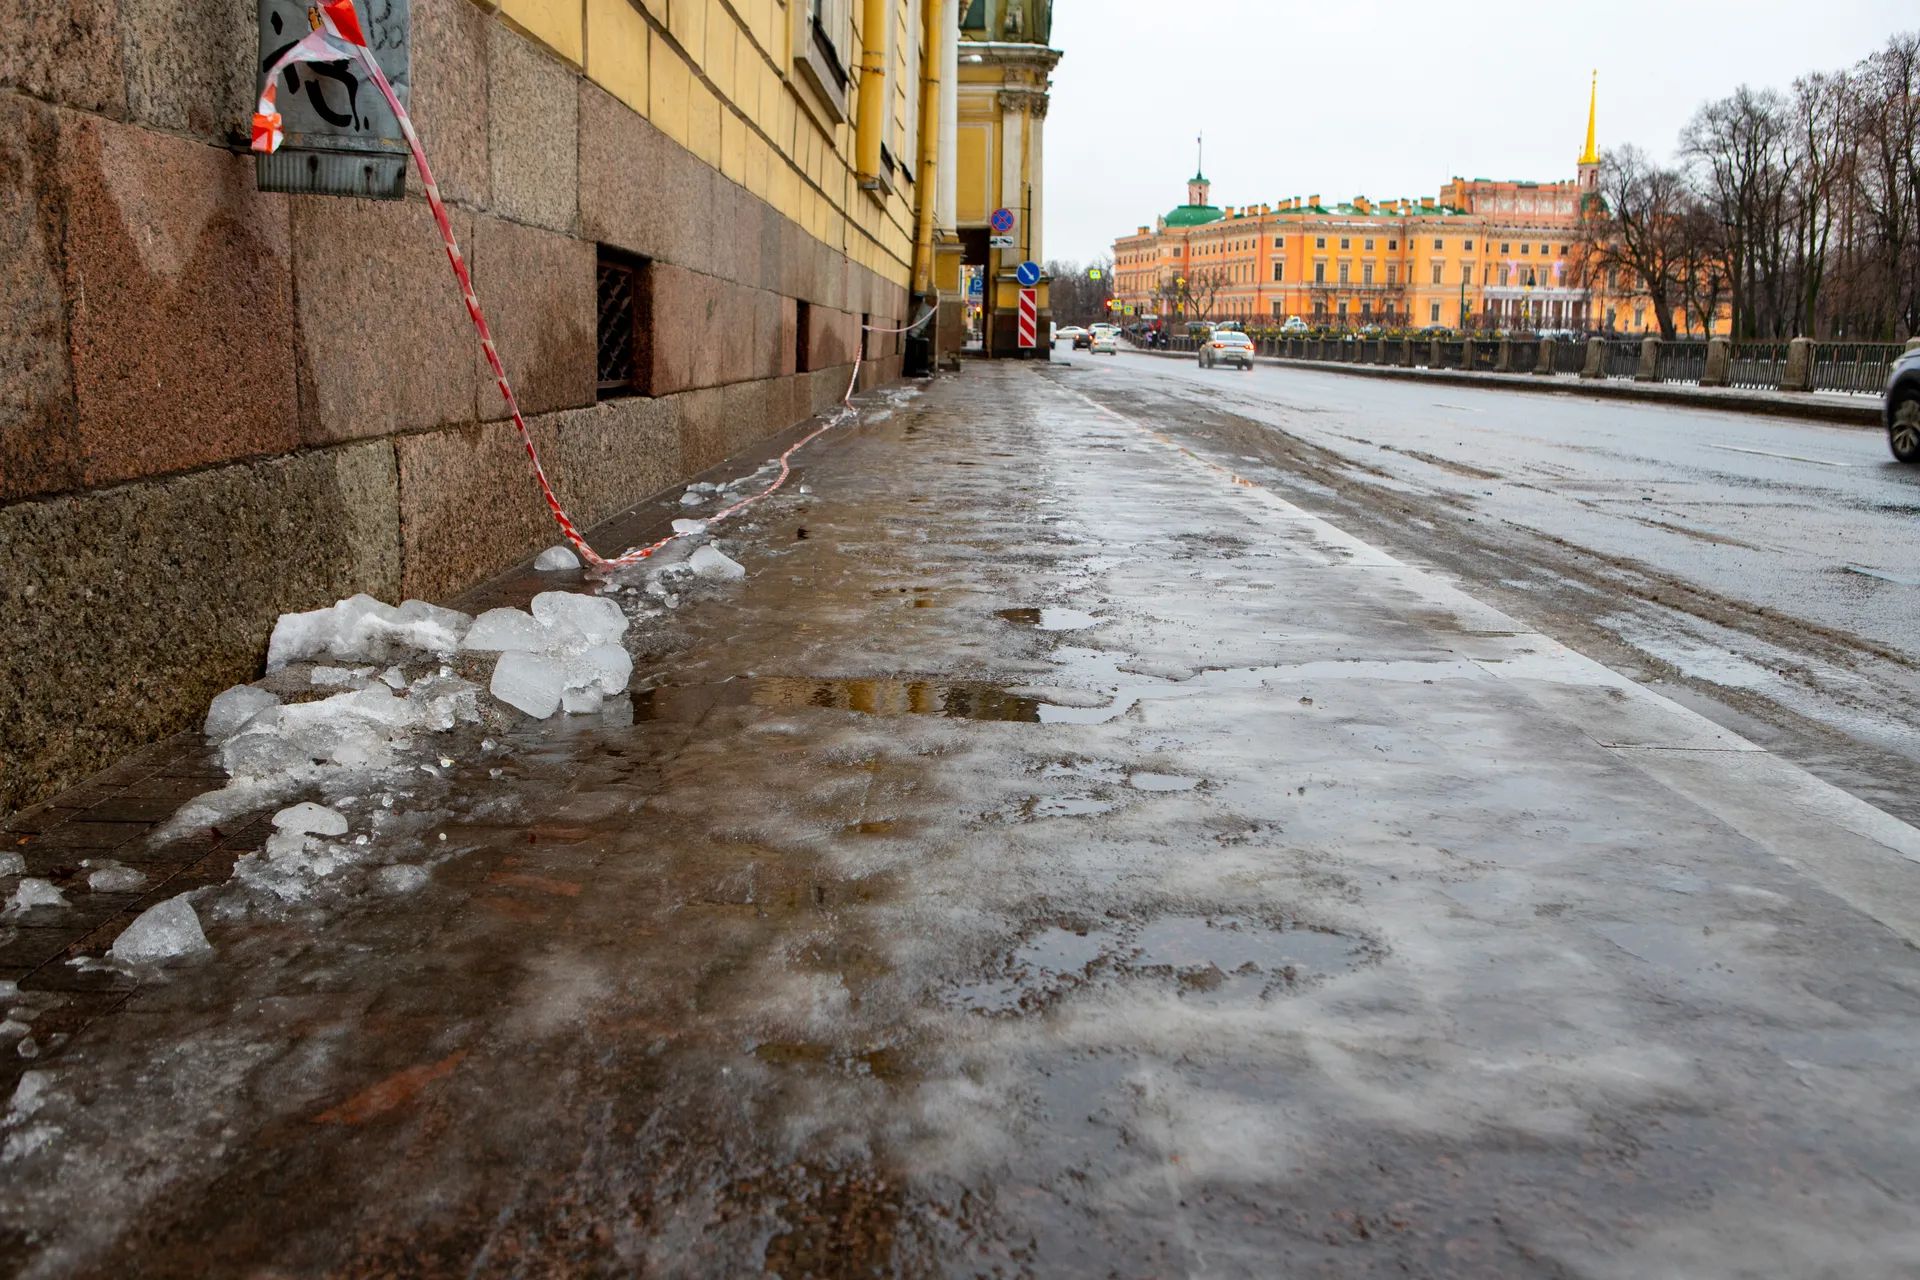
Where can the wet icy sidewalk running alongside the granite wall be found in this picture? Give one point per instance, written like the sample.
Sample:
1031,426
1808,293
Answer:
1057,857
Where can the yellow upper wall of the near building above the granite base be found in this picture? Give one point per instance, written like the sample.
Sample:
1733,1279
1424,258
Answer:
719,80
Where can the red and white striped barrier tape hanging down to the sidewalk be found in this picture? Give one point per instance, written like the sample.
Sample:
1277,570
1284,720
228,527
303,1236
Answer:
339,37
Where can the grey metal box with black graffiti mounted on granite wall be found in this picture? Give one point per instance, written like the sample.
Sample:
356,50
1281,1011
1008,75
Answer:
341,135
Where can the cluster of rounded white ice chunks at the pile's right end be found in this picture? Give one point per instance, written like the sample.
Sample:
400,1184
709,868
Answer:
564,655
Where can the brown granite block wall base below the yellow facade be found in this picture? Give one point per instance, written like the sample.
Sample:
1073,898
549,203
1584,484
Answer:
218,406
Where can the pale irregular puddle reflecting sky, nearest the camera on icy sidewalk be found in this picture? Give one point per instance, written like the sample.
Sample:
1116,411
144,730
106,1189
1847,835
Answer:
1209,959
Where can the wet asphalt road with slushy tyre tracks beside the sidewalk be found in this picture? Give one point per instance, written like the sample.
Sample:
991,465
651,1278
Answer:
1764,571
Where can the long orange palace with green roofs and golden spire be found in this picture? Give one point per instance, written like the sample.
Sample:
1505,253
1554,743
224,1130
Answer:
1479,256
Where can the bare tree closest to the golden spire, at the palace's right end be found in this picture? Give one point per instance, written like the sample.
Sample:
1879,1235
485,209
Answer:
1639,229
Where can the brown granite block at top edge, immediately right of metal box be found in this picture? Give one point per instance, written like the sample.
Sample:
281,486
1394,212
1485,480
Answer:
450,95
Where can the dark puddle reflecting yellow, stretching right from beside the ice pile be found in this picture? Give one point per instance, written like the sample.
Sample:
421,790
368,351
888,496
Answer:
871,698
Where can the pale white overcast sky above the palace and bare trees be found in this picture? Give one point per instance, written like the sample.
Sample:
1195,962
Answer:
1393,97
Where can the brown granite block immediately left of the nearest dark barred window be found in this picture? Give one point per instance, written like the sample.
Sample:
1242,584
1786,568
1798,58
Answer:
540,302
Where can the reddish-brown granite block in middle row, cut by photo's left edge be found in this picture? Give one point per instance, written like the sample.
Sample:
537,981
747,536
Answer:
39,450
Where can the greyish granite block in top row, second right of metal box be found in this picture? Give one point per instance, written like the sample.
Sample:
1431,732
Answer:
533,133
